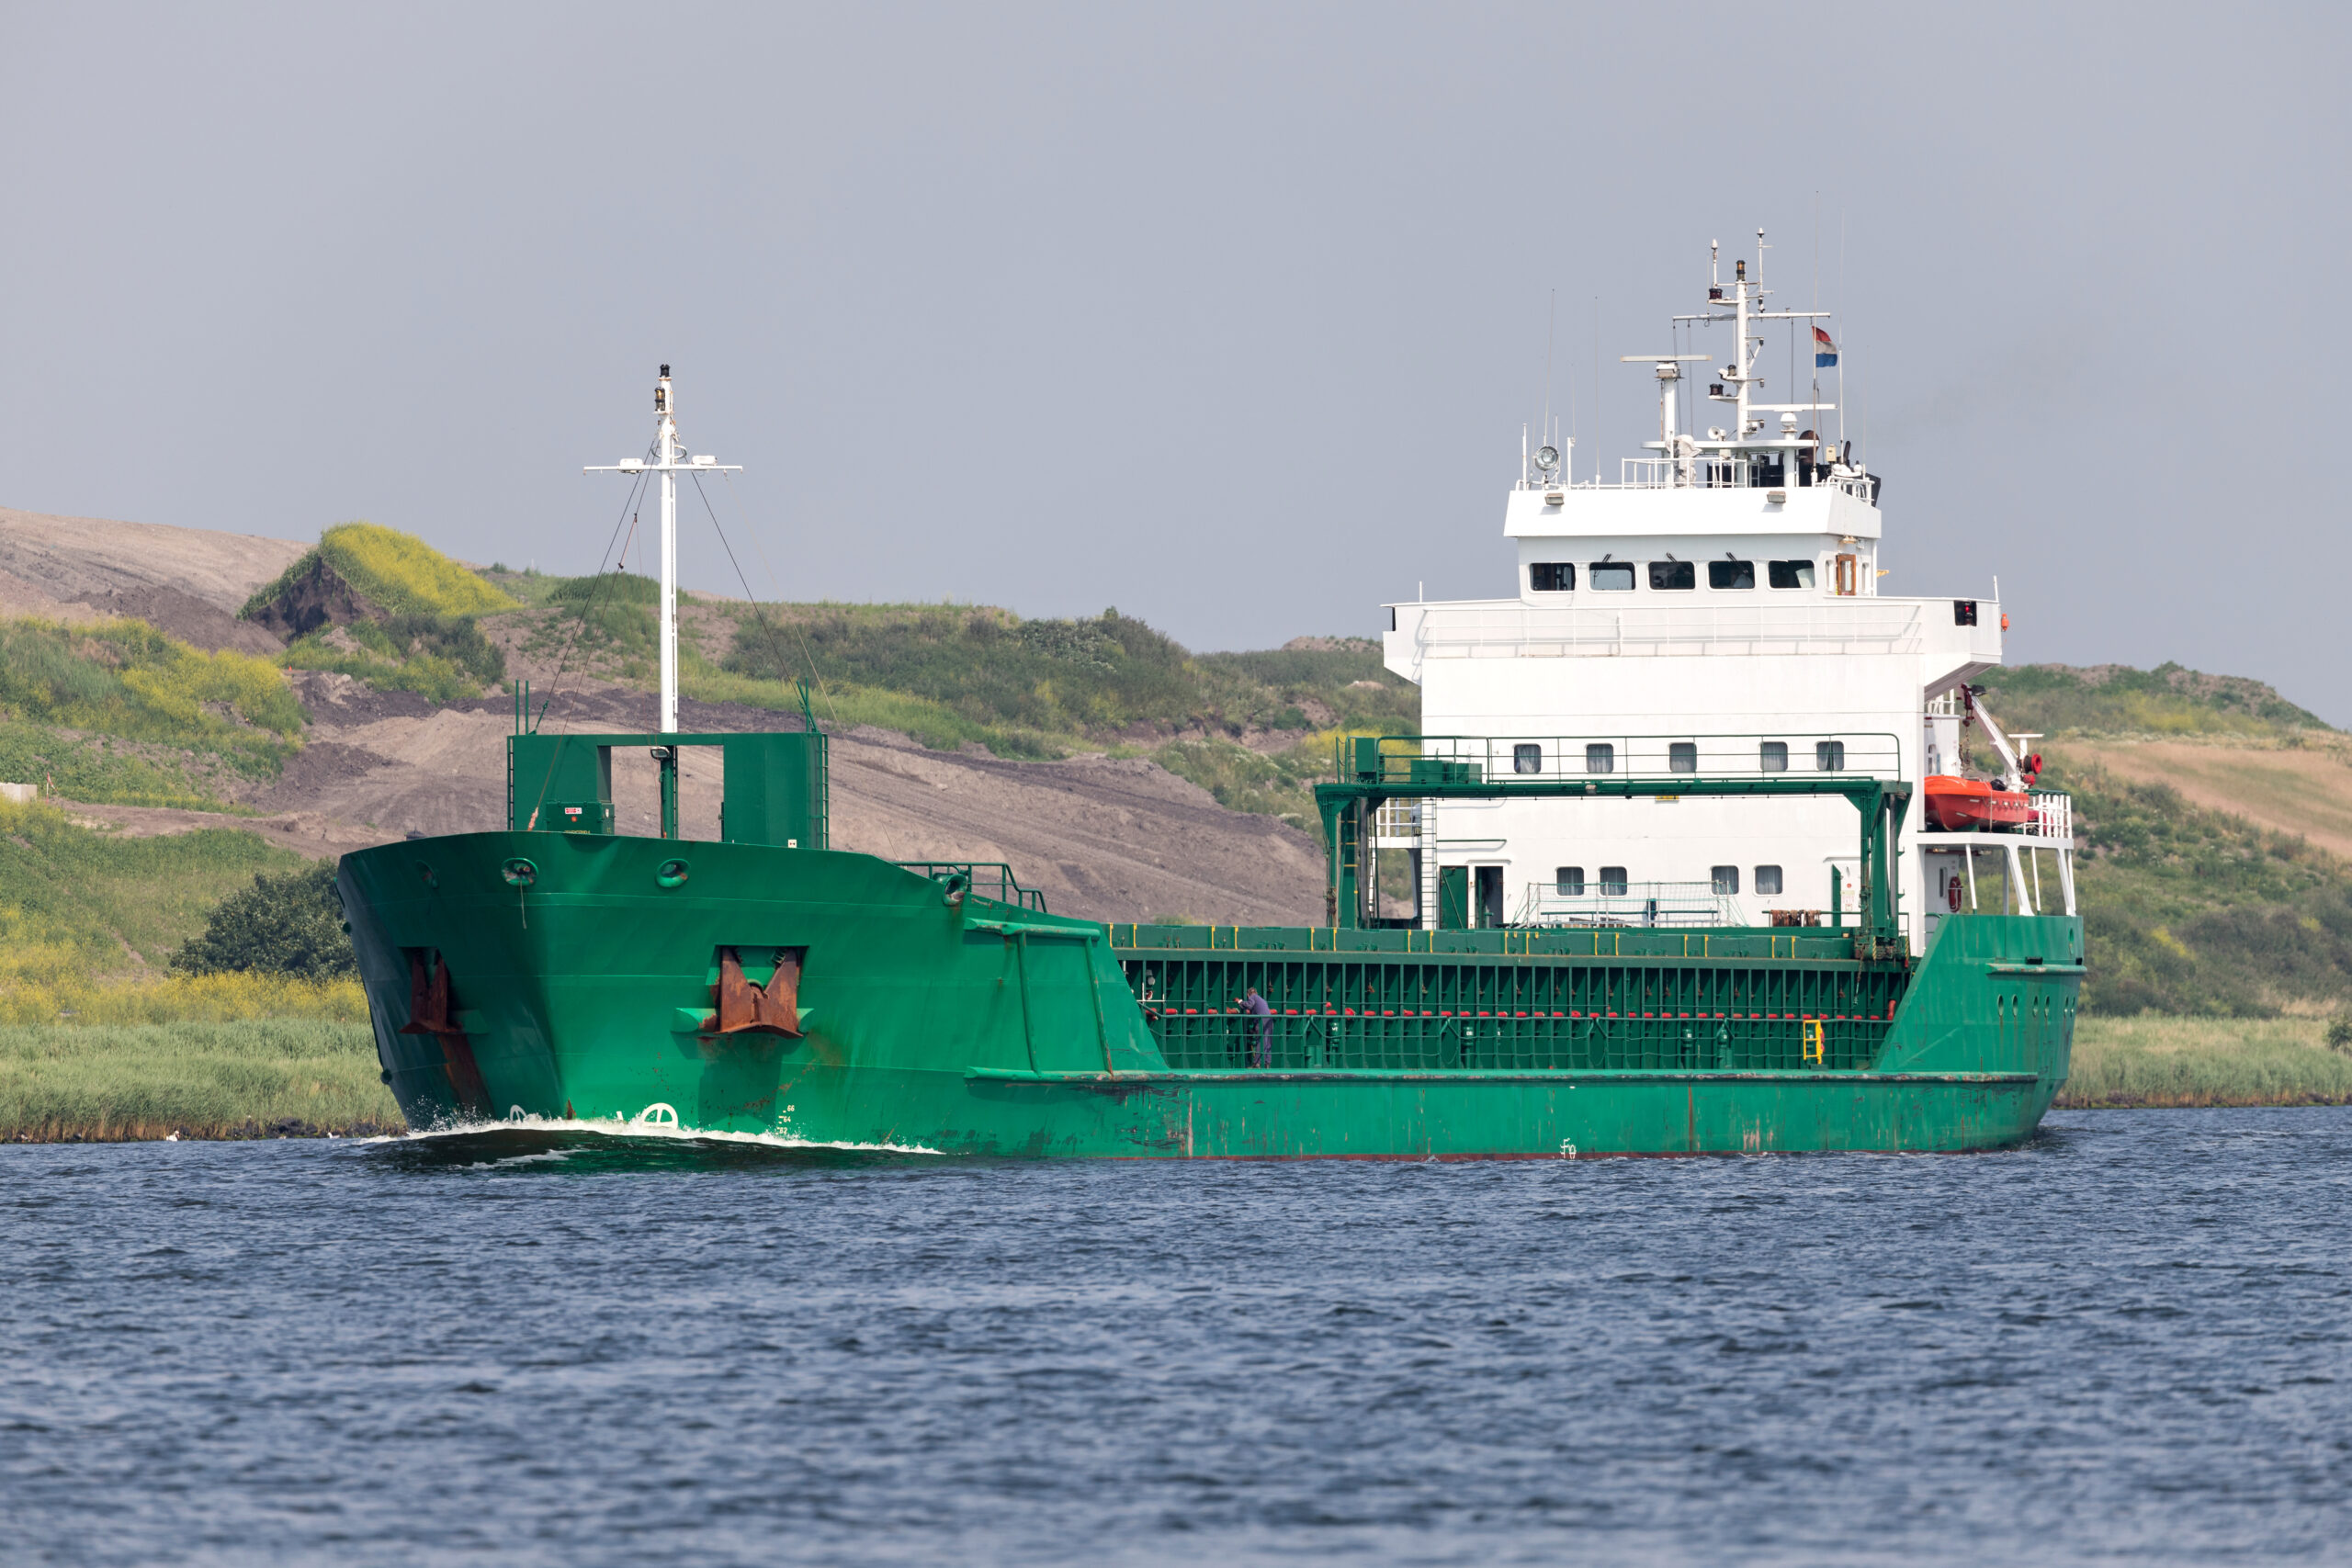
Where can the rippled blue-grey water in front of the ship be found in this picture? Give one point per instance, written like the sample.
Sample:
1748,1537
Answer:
552,1348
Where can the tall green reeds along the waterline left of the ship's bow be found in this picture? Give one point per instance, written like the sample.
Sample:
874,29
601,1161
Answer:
203,1080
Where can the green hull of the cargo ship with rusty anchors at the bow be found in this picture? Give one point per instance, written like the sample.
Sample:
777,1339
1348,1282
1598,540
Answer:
970,1026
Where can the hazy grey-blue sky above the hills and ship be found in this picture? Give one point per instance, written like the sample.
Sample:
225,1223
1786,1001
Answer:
1227,316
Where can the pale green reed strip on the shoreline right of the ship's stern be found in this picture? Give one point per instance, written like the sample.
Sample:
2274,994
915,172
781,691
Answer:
2207,1061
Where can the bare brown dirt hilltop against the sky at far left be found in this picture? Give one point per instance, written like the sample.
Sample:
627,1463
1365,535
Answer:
185,582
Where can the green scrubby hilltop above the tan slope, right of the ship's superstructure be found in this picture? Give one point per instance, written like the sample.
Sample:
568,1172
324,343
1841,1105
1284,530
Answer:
2118,699
